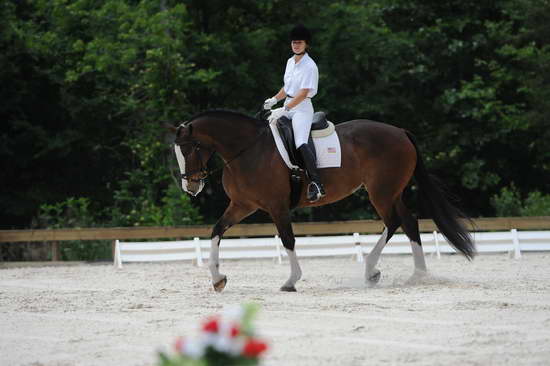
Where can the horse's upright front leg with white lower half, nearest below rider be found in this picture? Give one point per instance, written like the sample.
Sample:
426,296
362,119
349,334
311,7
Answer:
284,227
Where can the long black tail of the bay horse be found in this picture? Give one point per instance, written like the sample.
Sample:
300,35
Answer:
445,215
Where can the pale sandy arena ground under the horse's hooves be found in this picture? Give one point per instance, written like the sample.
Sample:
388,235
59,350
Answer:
493,311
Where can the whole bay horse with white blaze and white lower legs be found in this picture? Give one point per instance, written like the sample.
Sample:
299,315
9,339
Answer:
380,157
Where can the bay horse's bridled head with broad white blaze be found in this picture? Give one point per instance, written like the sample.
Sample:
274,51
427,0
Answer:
192,159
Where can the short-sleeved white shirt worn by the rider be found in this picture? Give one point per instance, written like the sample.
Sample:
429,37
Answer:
301,75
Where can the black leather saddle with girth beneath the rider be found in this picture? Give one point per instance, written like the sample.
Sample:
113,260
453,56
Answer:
284,125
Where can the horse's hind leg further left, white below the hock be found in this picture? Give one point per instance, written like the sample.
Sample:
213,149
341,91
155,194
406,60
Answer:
391,223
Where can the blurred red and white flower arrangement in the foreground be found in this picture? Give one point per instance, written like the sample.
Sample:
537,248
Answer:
224,340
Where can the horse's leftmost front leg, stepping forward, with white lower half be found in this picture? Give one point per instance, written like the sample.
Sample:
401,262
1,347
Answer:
232,215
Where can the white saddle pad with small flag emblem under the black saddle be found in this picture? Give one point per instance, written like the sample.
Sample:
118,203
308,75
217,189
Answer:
329,154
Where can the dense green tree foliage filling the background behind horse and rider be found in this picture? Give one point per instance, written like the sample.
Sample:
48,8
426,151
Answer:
86,86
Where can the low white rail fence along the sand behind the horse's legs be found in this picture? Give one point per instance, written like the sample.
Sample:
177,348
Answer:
355,246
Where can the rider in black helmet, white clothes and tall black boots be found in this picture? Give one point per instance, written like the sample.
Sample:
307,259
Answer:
300,85
